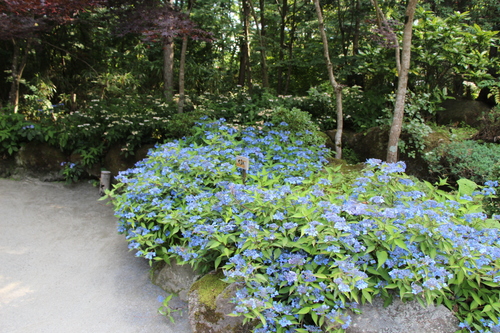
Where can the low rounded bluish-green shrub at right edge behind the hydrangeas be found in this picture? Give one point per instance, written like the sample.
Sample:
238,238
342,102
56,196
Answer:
469,159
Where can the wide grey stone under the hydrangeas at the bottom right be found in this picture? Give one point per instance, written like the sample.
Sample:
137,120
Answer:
403,317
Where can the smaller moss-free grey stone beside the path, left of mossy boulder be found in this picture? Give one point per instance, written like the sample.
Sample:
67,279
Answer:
175,279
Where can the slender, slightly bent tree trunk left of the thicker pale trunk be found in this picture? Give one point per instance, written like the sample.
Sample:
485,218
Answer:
335,85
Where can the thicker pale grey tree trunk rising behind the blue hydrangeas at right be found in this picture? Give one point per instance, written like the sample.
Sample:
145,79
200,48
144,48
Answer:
399,106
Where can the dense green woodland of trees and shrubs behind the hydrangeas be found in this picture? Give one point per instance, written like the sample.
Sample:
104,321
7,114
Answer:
75,70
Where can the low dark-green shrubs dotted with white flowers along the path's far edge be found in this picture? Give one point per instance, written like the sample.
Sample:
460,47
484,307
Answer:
130,121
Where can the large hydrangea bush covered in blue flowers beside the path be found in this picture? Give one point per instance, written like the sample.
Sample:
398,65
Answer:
306,242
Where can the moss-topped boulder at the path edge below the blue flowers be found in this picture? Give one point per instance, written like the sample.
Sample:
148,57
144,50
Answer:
210,304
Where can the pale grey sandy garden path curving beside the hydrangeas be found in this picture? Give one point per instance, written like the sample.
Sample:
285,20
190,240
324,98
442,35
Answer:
64,268
